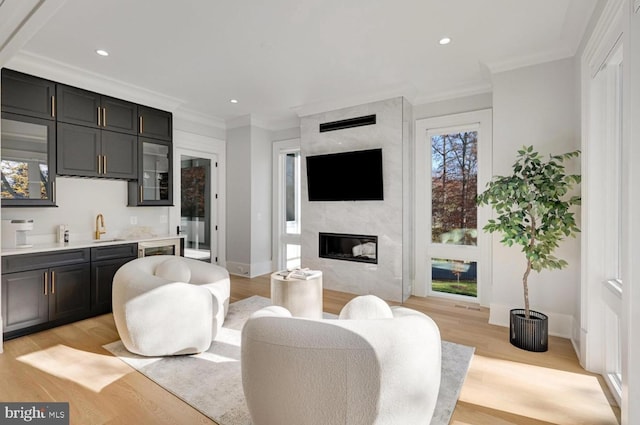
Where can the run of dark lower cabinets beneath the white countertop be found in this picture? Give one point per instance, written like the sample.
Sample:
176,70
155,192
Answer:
44,290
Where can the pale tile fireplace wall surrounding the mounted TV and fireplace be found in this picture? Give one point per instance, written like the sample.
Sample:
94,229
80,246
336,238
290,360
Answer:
382,220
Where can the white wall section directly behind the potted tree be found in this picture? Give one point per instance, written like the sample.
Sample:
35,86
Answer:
536,106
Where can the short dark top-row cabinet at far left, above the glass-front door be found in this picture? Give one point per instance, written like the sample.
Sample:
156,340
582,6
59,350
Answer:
28,95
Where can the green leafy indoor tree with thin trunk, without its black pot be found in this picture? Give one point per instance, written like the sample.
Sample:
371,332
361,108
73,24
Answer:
533,207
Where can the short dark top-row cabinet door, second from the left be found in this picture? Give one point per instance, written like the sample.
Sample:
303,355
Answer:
77,106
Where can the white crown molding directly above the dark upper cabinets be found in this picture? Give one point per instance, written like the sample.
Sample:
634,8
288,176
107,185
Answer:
74,76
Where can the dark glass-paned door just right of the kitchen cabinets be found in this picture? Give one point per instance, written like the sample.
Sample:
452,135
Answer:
195,206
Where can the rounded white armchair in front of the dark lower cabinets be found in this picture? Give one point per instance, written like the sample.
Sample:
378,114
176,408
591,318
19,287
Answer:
167,305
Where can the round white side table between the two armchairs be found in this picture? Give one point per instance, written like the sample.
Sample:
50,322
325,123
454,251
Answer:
302,297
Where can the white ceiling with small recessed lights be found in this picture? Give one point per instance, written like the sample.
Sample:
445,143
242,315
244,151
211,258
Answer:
281,58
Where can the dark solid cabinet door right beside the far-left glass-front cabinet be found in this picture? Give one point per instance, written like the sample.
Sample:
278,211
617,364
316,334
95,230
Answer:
78,150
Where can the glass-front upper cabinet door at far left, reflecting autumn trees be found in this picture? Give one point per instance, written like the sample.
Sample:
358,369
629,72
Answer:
28,161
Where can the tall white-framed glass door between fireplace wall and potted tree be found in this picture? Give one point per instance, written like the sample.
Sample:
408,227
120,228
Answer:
453,159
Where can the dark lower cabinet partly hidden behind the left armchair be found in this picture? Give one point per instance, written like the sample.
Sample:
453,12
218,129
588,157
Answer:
105,262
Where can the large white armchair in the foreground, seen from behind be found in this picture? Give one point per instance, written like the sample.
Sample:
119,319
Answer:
383,368
